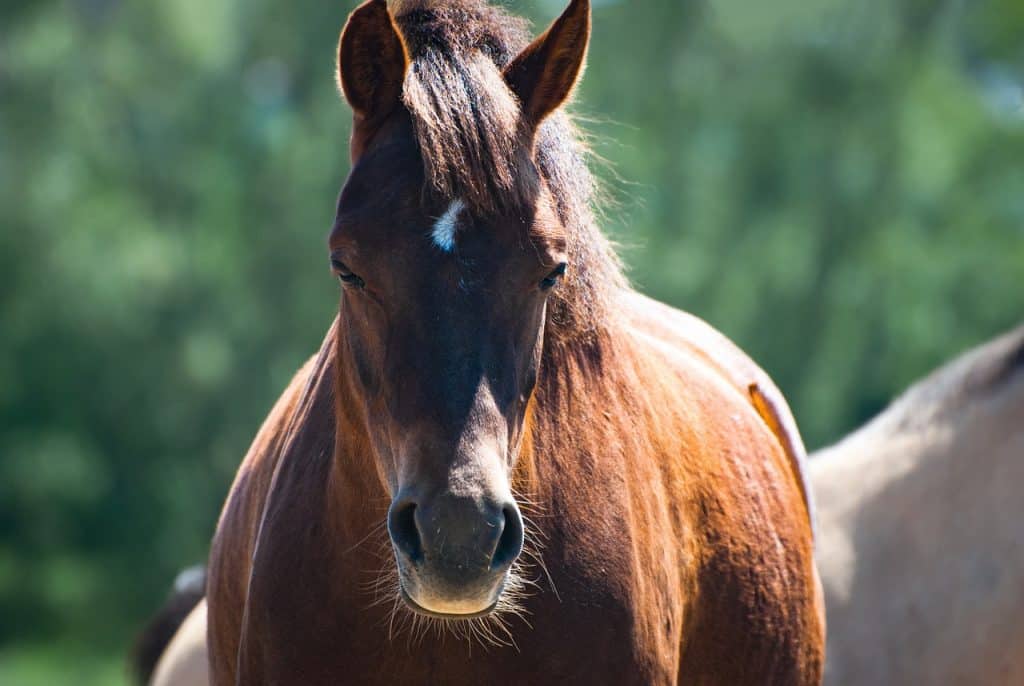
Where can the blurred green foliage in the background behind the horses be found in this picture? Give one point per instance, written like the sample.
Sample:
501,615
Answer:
838,186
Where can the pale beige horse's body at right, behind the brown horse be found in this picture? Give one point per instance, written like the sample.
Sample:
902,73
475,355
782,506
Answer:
921,547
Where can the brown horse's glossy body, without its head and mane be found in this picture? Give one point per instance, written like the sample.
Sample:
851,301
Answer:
669,560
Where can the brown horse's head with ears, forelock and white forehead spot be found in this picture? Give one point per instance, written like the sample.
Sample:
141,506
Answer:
449,244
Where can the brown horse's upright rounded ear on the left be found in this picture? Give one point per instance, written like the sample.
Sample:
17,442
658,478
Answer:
371,62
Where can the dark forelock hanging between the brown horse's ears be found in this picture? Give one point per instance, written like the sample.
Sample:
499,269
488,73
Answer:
464,116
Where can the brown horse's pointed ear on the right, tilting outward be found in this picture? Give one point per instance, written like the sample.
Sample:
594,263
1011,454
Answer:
544,75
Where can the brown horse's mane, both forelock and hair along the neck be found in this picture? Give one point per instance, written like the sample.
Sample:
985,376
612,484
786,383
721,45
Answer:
466,121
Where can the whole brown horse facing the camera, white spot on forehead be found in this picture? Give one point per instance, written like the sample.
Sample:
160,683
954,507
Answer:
601,488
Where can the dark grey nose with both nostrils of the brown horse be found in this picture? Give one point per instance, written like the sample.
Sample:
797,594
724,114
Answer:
460,536
